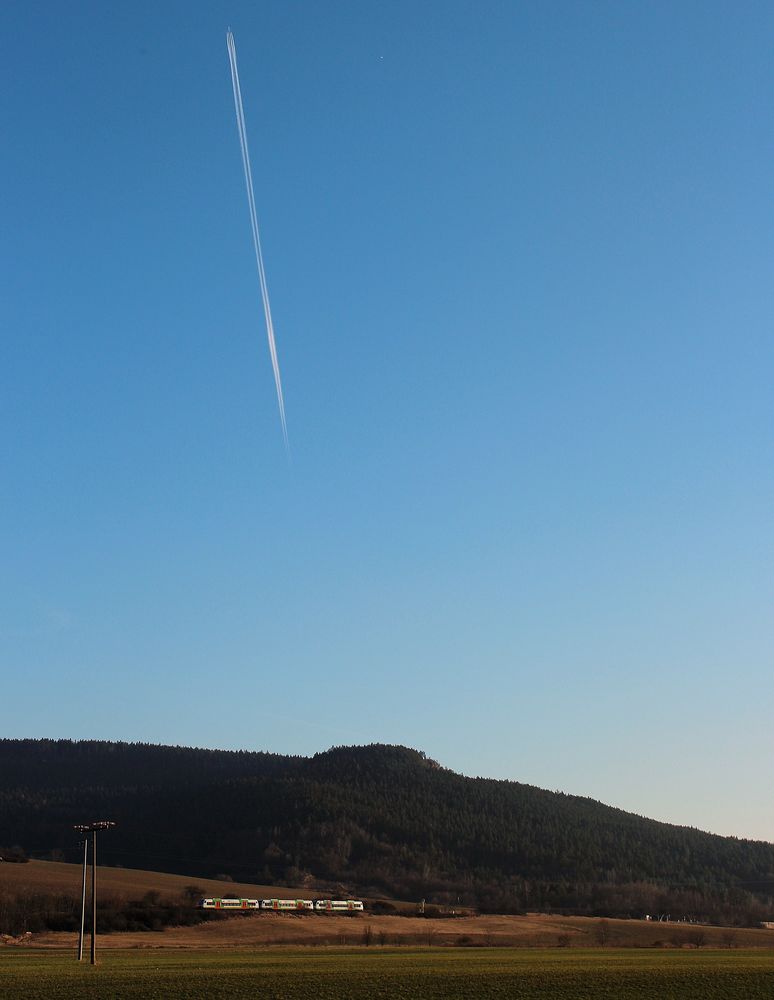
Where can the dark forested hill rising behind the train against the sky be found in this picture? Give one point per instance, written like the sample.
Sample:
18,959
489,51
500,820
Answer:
378,818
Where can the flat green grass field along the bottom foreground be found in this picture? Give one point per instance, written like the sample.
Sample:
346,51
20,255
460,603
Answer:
424,974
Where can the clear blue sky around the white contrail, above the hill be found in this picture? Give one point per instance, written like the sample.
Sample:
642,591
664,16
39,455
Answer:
519,256
